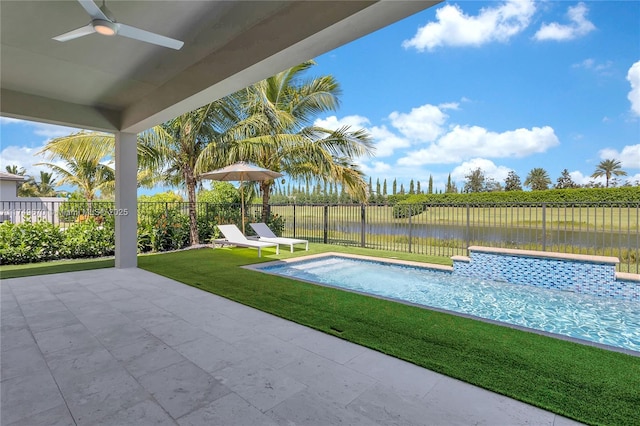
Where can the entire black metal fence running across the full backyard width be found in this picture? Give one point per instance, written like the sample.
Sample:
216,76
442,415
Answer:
605,229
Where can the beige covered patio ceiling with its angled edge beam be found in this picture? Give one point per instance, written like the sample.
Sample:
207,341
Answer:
119,84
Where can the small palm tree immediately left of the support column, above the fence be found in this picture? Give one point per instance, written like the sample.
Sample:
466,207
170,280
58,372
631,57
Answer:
90,176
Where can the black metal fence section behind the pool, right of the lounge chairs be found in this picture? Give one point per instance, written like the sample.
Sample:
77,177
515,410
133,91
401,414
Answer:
607,229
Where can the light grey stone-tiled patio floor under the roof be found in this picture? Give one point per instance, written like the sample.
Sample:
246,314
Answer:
128,347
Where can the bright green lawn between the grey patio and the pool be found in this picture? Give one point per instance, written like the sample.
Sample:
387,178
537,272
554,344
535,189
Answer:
588,384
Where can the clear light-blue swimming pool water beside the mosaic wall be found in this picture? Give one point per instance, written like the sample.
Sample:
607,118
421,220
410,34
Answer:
598,319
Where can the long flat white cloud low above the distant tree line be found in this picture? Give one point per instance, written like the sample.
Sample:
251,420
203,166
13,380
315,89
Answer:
463,142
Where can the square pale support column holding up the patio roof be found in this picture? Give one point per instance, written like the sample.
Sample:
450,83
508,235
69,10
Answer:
126,200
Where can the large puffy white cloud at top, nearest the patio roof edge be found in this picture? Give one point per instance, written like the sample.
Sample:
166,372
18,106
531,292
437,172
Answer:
455,28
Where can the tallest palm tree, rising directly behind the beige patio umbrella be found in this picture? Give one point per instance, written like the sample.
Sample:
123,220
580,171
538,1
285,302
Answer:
281,110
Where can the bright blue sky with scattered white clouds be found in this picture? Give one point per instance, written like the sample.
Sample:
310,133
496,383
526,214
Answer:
501,85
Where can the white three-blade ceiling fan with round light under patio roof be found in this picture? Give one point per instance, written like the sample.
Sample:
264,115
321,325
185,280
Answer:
103,22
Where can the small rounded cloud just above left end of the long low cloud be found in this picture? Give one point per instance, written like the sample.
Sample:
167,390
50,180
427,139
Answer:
422,124
